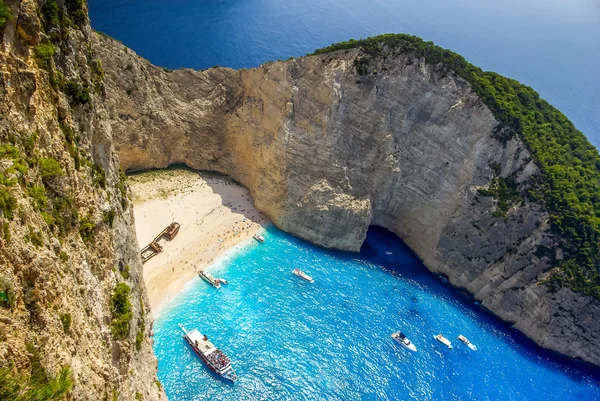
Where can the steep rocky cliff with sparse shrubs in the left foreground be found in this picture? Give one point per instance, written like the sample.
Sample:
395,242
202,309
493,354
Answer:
67,232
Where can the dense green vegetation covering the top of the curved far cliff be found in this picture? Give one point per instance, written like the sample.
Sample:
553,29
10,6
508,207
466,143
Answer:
569,186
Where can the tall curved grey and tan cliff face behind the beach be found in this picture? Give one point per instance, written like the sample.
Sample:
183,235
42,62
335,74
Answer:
327,152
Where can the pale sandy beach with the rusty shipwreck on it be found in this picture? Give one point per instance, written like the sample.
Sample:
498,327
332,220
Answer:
215,213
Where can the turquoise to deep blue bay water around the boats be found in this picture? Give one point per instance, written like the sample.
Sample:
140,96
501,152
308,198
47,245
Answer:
291,340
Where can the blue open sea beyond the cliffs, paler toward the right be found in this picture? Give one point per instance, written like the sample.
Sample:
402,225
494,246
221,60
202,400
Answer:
551,45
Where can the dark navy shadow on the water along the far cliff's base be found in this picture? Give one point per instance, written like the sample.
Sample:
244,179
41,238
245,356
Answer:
386,249
